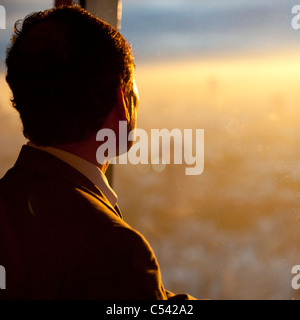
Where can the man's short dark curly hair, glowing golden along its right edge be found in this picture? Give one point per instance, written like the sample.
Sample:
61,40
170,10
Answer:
64,67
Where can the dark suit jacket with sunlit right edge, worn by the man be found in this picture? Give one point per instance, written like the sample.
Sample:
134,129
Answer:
61,239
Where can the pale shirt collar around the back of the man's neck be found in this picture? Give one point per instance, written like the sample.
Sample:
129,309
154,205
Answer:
92,172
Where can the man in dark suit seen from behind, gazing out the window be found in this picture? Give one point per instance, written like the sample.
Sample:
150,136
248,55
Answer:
62,235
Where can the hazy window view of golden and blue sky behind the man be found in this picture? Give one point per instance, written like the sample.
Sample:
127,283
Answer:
231,68
